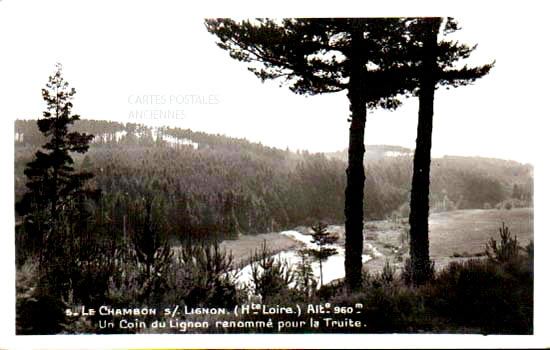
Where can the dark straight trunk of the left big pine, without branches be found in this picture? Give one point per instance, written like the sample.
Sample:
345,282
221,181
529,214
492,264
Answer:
355,171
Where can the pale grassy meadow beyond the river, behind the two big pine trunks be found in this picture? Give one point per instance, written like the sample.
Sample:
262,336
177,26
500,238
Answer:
454,236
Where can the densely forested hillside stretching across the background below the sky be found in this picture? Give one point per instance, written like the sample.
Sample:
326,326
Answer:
200,185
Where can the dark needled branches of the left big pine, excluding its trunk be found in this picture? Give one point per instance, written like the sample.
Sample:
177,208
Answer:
312,55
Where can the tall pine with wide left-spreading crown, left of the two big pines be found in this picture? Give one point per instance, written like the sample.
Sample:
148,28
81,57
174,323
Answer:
320,55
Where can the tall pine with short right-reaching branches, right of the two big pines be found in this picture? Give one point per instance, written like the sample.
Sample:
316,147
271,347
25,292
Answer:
432,64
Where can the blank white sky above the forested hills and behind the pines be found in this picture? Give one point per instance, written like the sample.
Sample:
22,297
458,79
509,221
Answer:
131,58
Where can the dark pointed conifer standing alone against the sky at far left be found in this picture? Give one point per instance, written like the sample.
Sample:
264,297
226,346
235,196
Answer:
54,187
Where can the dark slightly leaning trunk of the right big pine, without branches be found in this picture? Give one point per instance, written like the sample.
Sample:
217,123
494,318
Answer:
420,191
